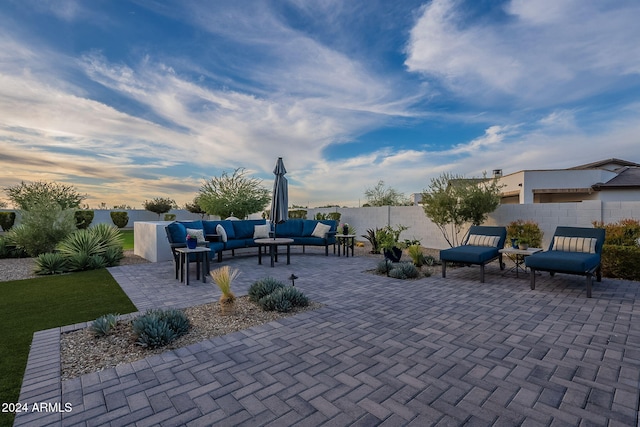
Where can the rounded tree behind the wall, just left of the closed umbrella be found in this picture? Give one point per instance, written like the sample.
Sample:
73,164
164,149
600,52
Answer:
233,195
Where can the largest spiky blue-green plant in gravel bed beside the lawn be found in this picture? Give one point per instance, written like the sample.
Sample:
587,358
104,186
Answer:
157,328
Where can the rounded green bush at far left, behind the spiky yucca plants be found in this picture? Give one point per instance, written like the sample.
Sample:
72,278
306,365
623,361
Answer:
43,226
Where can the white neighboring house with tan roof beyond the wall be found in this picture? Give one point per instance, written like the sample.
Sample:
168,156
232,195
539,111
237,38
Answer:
607,180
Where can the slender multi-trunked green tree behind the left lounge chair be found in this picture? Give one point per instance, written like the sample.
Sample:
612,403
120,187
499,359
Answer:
452,202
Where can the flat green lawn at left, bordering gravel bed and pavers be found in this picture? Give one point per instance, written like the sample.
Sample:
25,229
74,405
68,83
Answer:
32,305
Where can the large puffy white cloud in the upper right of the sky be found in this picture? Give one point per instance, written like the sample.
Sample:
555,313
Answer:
546,52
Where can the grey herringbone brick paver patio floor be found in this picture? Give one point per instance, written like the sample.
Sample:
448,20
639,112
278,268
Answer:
380,351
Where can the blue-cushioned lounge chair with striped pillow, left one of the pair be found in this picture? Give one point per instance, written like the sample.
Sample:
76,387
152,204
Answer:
480,247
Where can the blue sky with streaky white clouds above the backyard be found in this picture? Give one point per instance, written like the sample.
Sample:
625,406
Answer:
130,100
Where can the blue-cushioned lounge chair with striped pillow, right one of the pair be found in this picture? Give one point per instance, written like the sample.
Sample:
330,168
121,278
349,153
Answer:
573,250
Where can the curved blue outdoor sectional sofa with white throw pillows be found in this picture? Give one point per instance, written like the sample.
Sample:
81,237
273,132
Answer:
228,235
